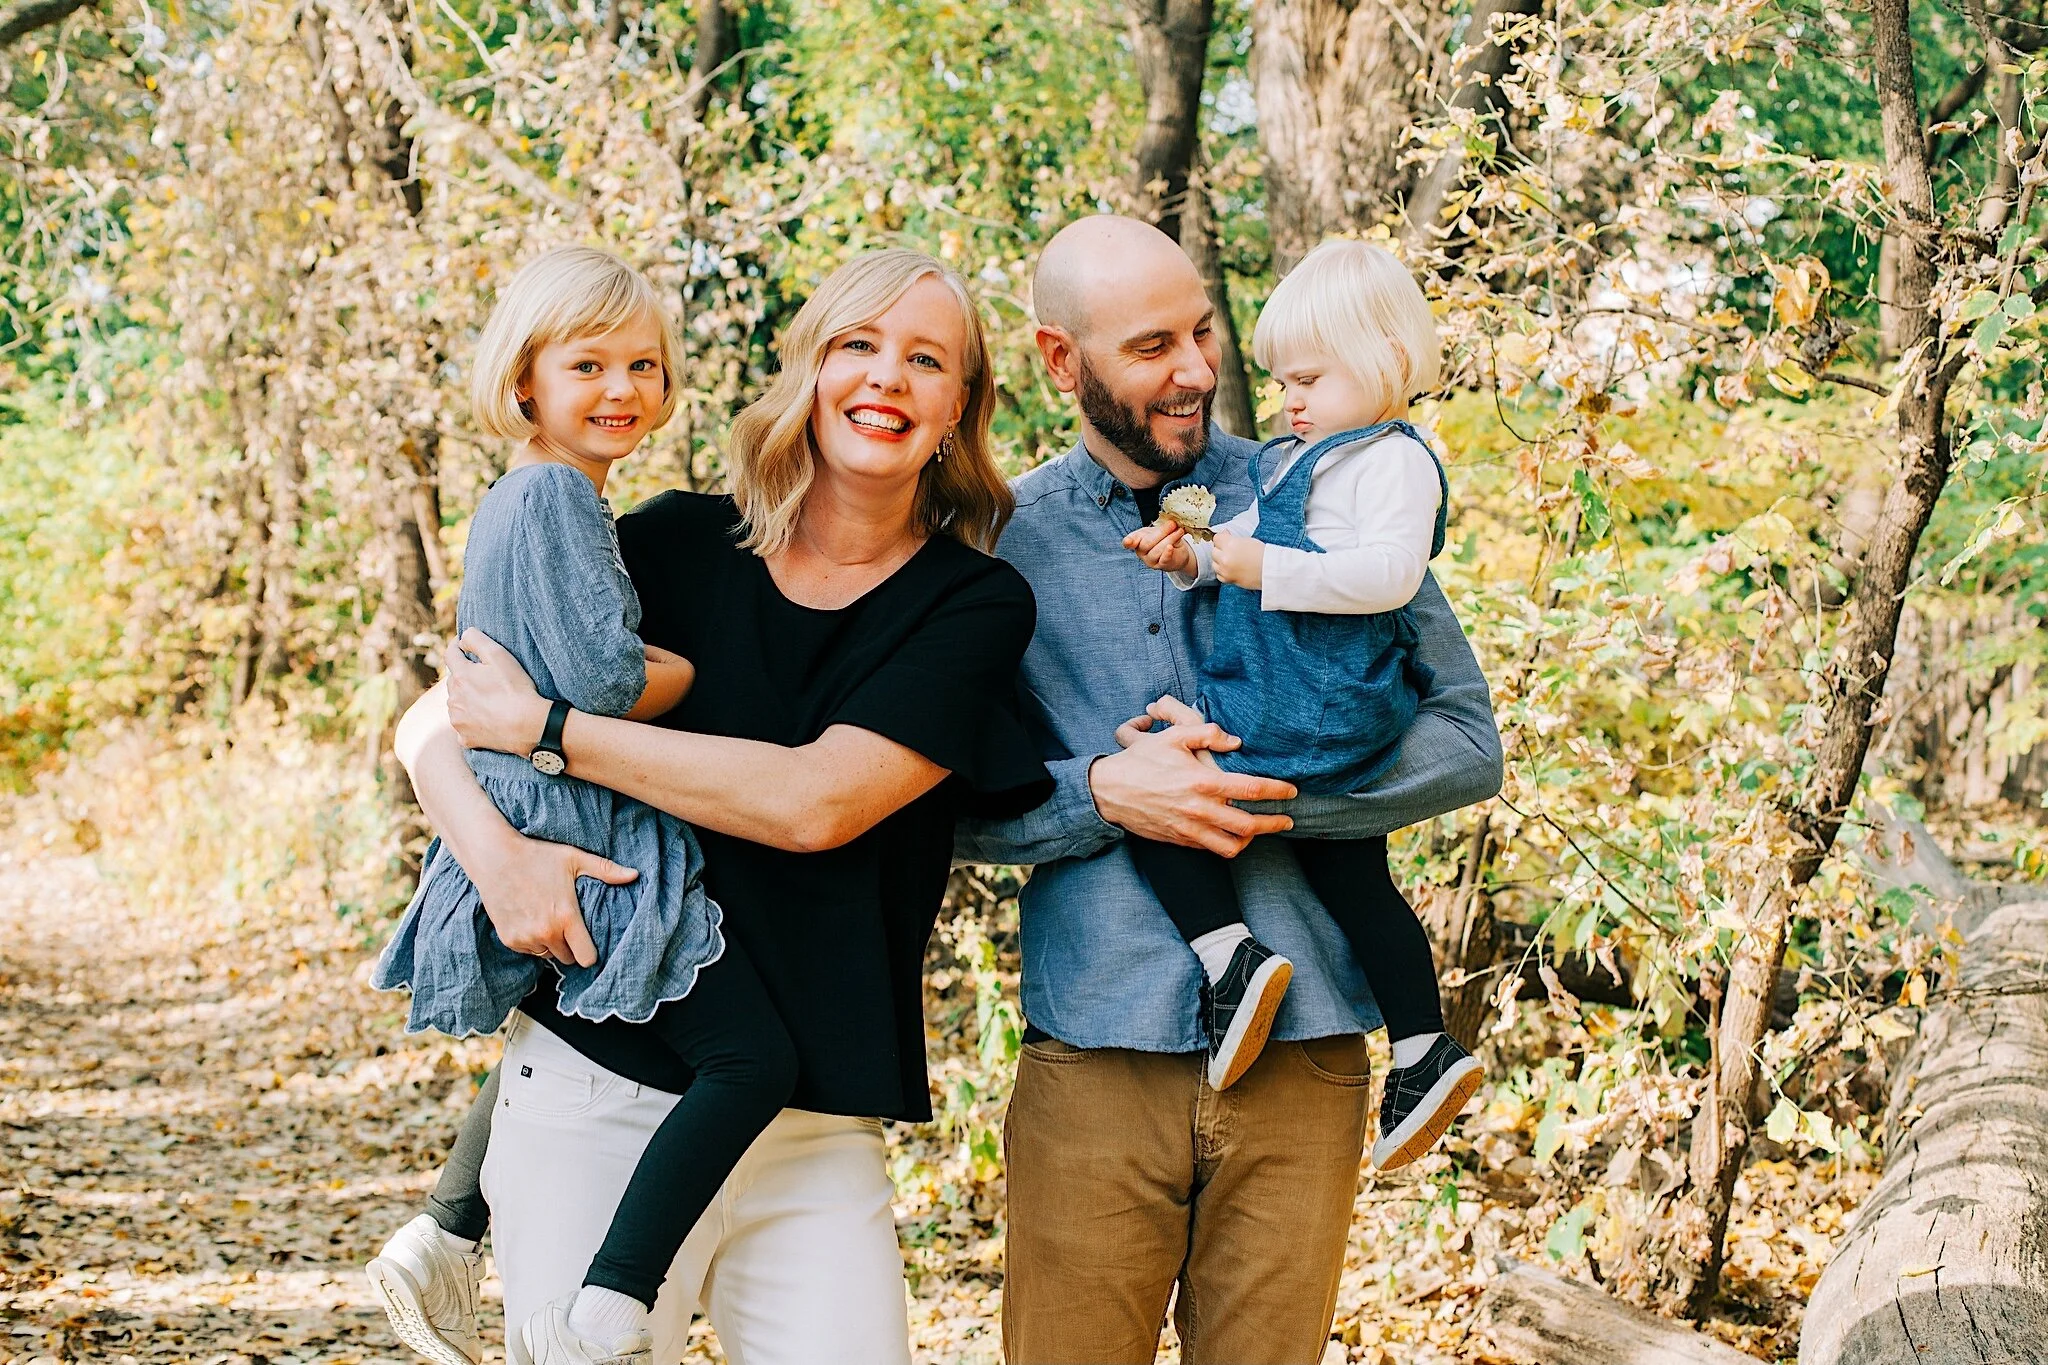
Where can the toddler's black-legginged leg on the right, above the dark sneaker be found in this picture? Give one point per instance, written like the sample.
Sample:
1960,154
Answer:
1355,885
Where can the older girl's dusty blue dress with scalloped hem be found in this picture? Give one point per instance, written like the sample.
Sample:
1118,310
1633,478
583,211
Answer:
544,578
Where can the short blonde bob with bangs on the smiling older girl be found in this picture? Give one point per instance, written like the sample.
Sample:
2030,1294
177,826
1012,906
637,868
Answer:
560,296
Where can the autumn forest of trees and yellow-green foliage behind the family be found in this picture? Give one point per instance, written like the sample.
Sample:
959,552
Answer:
1748,488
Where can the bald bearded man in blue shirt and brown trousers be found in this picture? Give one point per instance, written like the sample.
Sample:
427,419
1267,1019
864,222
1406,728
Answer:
1134,1184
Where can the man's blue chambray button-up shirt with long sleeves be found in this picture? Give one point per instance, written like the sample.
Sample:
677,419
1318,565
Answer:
1103,963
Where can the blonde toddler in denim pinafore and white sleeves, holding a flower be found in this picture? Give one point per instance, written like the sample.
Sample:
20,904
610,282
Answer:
1314,664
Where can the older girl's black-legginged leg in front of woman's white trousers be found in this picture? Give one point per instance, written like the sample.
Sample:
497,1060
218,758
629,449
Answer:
746,1067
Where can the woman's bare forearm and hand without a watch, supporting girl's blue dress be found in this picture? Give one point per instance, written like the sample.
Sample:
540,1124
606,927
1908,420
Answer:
527,885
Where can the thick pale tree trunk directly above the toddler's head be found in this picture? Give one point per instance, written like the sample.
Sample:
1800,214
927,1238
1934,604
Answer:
1334,85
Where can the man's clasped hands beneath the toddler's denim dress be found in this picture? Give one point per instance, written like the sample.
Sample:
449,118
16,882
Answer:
1160,787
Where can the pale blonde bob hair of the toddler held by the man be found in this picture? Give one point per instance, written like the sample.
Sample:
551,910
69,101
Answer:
1357,306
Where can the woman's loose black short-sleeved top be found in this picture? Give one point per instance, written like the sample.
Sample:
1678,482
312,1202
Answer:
929,658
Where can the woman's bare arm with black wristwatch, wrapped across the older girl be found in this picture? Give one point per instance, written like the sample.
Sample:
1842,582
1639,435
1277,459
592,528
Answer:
808,799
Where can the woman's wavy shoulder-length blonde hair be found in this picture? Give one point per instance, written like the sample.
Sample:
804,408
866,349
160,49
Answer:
773,457
